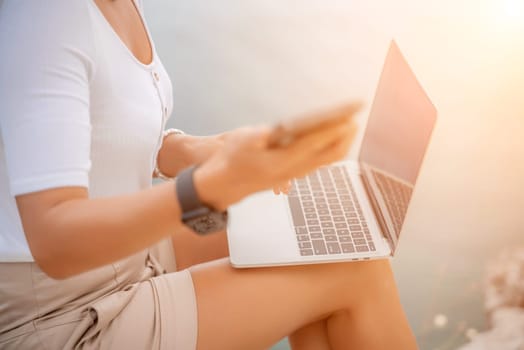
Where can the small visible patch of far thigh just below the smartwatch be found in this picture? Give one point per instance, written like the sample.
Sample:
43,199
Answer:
191,249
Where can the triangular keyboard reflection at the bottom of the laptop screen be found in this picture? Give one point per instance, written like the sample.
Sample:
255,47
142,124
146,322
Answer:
396,195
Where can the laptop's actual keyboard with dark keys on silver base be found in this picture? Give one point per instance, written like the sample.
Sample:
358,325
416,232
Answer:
326,214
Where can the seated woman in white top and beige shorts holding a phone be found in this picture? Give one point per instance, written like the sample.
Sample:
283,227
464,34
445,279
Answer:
87,254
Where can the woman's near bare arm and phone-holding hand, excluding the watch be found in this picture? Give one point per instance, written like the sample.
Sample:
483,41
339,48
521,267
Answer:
68,233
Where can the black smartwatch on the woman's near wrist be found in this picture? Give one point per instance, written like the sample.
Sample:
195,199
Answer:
196,215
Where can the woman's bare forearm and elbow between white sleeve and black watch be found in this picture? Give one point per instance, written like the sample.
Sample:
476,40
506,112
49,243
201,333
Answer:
69,233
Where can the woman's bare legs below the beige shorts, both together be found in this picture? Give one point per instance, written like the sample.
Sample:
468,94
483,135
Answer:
339,306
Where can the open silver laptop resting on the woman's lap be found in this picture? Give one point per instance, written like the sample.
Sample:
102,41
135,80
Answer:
351,210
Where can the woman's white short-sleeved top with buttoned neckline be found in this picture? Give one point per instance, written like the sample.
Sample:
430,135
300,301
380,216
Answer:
76,108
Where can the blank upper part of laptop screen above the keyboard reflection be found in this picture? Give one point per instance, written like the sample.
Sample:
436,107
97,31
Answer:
400,122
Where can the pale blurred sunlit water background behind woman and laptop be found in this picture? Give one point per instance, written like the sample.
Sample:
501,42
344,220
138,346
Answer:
238,62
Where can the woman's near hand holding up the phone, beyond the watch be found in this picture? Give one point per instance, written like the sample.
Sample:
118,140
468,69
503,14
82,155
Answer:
246,164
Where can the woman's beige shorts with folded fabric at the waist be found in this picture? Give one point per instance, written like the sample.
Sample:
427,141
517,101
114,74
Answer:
136,303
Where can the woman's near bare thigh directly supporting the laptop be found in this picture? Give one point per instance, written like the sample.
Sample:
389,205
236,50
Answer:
254,308
